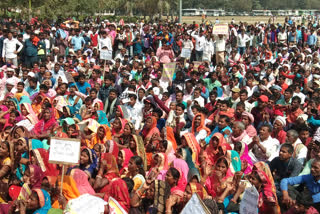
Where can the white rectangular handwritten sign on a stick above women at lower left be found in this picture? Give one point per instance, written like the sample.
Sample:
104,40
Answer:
64,151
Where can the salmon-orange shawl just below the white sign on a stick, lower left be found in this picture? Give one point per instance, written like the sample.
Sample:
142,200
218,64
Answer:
81,179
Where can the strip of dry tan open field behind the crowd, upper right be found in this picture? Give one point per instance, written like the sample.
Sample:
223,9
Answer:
227,19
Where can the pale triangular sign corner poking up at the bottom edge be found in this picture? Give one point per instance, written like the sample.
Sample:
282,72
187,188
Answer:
195,205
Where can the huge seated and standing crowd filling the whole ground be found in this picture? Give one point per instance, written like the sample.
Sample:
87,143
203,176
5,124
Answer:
241,111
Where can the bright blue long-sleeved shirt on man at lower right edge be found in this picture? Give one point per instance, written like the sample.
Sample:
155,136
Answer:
312,185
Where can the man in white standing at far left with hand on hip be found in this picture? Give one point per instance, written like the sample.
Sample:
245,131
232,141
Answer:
9,51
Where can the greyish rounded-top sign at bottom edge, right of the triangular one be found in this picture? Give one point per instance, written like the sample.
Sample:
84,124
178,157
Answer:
249,202
